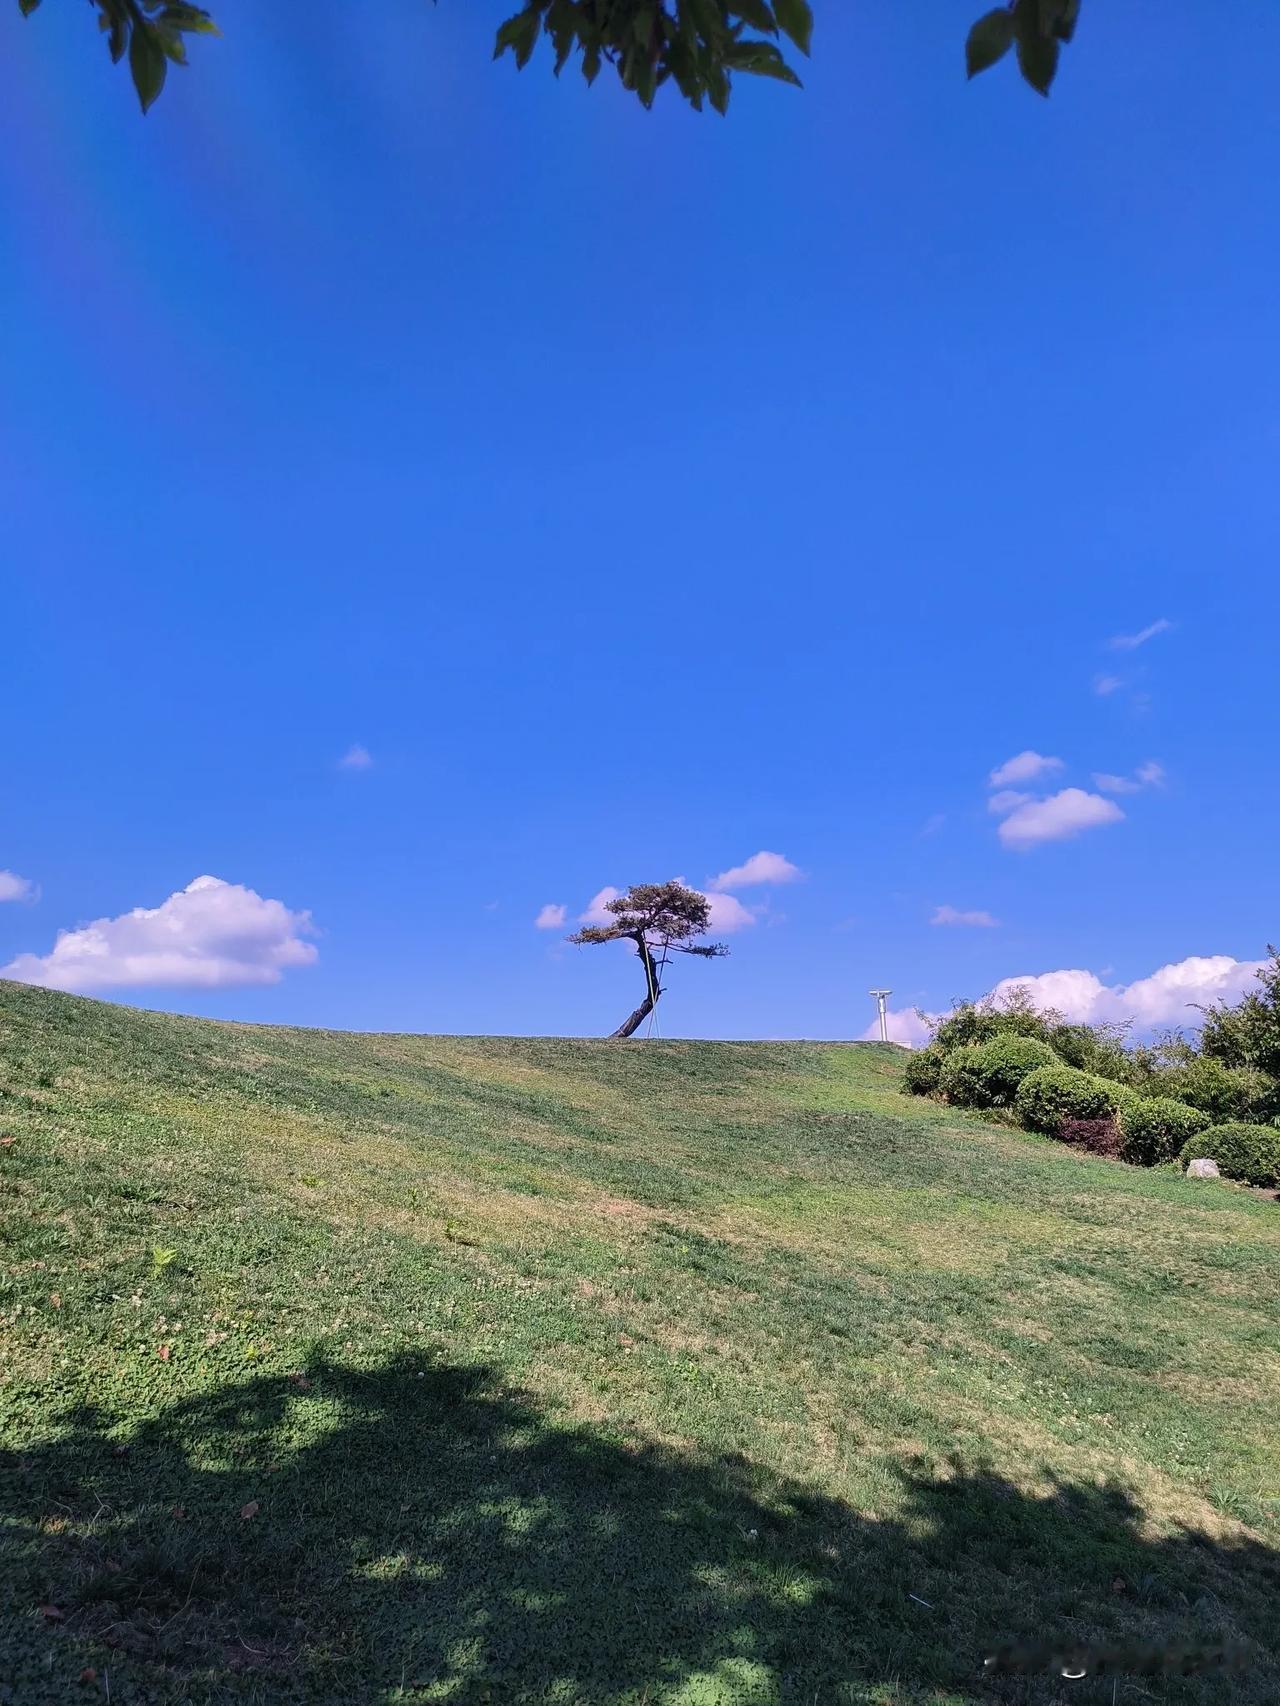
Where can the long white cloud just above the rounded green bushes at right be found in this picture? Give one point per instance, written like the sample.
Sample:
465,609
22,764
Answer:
1168,997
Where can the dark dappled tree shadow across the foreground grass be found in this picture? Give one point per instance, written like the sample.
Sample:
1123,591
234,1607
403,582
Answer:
414,1533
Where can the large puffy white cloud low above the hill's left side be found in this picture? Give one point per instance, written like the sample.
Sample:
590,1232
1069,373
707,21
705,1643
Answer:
209,936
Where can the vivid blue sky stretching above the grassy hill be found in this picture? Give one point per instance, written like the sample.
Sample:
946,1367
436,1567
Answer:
641,492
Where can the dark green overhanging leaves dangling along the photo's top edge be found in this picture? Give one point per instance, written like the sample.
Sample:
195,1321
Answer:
697,45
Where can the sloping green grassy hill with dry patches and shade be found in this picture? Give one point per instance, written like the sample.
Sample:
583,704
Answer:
436,1369
